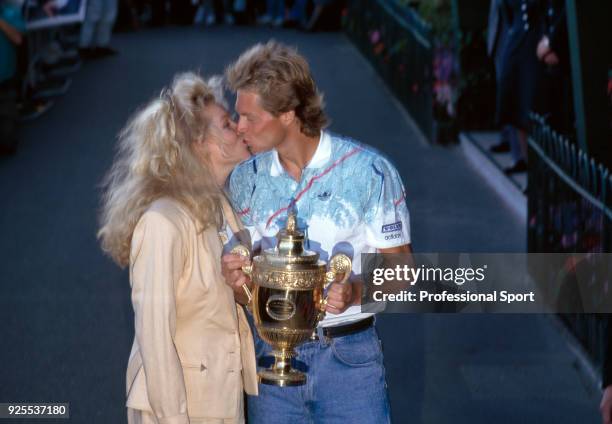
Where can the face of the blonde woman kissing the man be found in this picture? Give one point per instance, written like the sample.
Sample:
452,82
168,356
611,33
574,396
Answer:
226,147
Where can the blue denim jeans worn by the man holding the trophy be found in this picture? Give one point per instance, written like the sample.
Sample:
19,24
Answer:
345,384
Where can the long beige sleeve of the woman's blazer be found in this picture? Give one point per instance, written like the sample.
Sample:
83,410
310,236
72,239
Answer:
158,260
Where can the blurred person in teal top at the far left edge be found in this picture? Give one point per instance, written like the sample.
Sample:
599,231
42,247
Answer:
12,27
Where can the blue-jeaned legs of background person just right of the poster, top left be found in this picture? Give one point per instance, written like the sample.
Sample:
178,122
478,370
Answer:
97,29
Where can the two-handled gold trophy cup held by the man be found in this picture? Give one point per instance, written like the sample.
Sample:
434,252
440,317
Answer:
288,299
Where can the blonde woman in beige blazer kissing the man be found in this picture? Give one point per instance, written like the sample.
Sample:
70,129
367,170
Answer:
162,211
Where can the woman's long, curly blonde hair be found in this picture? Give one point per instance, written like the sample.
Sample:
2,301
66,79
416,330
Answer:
156,159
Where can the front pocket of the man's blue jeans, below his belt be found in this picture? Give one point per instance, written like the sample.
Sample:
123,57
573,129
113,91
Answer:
357,350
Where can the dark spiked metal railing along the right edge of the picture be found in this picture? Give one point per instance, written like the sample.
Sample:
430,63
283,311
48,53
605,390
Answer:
569,211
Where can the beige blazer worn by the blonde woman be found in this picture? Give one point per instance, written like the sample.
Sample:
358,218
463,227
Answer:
193,349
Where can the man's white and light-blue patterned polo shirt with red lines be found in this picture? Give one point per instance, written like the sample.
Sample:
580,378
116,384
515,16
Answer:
350,200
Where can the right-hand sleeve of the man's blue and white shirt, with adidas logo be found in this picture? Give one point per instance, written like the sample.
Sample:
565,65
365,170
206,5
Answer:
386,214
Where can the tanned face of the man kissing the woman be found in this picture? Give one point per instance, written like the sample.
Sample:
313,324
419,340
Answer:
260,129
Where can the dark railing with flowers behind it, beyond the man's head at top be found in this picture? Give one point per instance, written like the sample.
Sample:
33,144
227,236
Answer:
399,45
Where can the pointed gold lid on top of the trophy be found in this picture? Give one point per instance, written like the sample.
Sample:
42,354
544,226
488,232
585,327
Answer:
290,245
